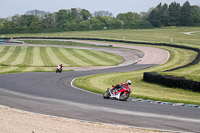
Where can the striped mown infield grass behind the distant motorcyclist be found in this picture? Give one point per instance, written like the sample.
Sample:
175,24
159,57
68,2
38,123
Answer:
21,58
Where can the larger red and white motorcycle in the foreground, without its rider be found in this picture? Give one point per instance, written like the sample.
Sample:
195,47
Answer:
122,93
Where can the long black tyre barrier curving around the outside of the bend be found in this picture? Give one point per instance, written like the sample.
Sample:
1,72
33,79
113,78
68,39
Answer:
151,77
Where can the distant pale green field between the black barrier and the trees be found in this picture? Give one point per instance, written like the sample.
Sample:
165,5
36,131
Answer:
148,35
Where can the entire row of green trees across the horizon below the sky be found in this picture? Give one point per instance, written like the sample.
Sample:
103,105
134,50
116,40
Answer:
76,19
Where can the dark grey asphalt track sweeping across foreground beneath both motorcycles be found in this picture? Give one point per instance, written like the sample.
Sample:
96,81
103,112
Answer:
53,94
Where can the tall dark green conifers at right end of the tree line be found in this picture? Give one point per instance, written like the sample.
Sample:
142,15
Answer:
175,15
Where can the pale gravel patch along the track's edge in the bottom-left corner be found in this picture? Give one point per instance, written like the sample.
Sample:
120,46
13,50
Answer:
17,121
